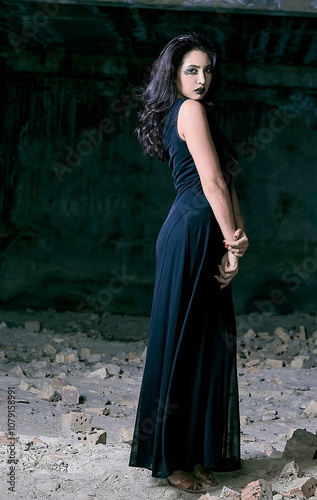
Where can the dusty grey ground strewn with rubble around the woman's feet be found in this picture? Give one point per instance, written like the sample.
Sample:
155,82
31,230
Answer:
56,466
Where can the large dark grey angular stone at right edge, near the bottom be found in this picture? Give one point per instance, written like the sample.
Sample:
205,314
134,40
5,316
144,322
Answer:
301,446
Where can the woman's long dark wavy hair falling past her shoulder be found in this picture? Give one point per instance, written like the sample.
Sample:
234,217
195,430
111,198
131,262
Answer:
159,93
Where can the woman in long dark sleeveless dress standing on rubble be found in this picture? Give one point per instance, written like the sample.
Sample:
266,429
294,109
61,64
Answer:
187,422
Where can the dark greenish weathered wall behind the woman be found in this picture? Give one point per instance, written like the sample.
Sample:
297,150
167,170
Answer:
81,206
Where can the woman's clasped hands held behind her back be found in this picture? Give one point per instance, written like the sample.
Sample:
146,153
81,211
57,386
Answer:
229,265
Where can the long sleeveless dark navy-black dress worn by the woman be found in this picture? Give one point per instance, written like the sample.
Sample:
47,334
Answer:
188,409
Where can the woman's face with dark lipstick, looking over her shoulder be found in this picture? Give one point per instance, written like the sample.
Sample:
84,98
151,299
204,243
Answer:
194,75
